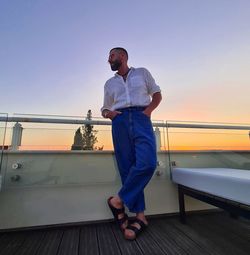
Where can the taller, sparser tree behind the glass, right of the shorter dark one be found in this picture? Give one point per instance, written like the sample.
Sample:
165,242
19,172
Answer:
89,134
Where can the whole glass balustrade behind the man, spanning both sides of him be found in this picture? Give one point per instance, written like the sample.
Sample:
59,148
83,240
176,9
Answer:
49,150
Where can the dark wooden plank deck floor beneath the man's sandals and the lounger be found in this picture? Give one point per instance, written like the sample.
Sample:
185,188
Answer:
213,233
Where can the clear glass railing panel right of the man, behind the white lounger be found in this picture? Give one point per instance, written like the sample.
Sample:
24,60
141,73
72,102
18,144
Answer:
212,145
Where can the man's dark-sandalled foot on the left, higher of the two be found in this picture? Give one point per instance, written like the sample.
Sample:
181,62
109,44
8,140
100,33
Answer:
118,211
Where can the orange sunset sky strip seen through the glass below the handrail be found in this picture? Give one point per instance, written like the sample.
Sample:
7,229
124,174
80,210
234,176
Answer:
175,139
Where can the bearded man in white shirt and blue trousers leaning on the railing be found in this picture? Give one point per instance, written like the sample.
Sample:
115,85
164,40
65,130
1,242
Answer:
129,99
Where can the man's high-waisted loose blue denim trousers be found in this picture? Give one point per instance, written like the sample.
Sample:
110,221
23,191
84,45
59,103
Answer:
135,151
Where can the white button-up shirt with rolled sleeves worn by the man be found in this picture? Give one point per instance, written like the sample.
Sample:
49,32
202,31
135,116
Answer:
137,90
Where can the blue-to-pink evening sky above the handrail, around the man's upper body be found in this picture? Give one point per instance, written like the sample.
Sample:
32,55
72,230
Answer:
53,55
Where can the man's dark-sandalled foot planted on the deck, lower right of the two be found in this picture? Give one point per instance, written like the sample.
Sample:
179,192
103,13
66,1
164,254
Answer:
134,229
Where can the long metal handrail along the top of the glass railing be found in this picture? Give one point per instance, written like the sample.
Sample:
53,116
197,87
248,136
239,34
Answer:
105,122
